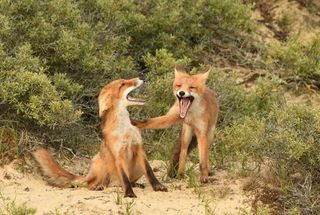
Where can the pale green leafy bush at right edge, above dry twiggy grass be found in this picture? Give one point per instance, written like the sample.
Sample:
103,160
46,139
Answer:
285,134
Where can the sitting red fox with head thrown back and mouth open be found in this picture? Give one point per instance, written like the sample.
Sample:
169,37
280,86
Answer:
121,154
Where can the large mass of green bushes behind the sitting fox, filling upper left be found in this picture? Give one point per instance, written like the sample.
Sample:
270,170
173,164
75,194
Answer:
56,55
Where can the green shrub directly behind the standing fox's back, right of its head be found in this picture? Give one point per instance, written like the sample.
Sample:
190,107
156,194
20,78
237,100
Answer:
237,102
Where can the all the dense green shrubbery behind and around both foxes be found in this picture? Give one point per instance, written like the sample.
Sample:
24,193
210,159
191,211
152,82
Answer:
56,55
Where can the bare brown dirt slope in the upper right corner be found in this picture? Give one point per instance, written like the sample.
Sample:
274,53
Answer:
281,18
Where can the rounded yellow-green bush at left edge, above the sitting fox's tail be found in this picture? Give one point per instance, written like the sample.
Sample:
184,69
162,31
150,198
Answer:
27,91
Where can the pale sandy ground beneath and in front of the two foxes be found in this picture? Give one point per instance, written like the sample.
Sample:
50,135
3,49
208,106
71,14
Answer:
224,195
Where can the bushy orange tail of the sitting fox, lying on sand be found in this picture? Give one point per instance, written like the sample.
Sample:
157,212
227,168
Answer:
57,176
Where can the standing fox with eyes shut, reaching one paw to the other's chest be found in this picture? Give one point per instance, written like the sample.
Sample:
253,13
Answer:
197,109
